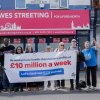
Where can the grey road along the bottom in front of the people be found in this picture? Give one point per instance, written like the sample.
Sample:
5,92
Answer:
52,96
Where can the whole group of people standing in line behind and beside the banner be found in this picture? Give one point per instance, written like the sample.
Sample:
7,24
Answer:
87,56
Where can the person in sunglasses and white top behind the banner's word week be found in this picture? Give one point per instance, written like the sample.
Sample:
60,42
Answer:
60,83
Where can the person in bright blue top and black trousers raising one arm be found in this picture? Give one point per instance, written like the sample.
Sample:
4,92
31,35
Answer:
91,63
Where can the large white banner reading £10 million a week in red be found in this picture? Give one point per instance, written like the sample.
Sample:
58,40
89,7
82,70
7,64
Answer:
39,66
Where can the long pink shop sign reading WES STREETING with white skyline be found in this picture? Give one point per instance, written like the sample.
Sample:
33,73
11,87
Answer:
43,22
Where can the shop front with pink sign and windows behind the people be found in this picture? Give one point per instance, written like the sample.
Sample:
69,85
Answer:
44,27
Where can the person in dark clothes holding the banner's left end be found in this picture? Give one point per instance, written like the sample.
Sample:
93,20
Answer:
6,48
